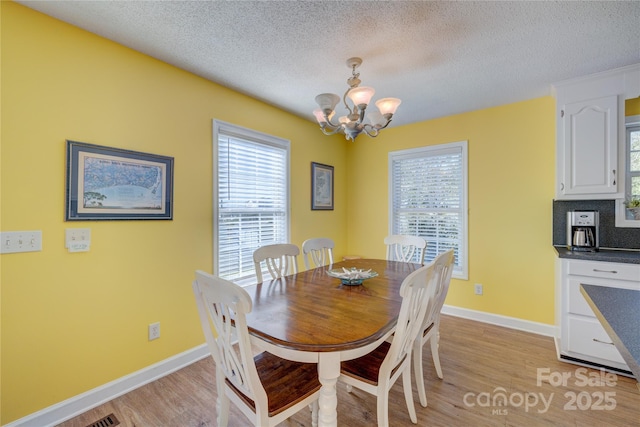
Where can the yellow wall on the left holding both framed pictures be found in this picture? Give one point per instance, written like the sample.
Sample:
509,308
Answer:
72,322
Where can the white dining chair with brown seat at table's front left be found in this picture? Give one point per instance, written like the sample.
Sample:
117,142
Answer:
266,388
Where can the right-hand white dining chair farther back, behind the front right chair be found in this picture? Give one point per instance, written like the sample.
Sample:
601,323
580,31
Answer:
443,268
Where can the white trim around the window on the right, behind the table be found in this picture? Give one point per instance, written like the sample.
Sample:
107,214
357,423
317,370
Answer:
462,272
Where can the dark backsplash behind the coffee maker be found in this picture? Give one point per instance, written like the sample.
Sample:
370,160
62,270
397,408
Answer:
610,235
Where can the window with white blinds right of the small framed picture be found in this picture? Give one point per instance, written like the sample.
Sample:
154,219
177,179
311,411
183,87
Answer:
428,198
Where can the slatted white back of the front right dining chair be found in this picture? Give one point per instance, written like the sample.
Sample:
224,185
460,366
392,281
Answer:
417,291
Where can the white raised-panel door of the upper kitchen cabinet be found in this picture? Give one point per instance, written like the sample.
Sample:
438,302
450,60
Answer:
590,147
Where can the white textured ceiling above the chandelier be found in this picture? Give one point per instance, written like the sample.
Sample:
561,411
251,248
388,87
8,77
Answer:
439,57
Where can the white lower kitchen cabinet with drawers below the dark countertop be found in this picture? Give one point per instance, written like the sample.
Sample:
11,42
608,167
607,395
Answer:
582,338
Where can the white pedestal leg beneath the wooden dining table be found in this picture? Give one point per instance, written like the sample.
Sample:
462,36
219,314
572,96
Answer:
328,373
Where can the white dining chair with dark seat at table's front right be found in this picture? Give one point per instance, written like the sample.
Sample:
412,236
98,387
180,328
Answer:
377,371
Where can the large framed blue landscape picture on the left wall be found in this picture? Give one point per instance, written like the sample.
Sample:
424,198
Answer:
105,183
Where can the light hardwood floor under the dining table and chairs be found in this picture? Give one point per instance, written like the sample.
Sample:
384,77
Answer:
480,362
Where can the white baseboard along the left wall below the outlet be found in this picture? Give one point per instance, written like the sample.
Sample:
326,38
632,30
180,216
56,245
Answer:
81,403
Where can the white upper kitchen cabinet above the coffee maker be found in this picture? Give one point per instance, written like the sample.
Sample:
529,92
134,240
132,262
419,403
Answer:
590,145
